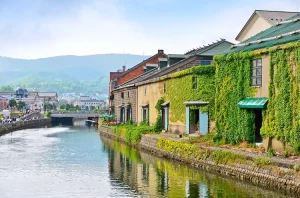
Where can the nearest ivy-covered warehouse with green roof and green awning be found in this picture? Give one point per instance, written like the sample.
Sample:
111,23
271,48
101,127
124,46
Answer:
259,80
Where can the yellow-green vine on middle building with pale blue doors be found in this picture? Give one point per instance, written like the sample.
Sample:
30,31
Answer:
179,88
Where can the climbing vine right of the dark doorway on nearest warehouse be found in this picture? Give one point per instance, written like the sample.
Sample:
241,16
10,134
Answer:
282,118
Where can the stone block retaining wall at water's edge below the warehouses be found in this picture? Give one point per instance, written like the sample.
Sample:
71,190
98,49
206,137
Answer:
258,176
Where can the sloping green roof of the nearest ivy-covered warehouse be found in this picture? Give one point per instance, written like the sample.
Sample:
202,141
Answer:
285,32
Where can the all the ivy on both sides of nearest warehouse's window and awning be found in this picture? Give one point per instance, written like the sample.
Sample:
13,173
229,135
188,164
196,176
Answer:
233,83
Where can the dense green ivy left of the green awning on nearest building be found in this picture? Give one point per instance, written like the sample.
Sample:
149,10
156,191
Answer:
233,80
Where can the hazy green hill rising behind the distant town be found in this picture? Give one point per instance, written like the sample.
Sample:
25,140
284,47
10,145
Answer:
65,74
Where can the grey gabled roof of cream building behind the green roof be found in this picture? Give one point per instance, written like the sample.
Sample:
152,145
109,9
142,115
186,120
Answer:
272,17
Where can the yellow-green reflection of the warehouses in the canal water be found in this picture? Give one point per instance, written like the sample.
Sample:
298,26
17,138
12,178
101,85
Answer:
155,177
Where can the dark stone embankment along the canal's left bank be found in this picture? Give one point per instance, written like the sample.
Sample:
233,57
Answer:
10,127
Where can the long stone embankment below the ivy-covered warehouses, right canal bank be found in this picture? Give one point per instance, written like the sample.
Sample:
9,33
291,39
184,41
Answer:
274,177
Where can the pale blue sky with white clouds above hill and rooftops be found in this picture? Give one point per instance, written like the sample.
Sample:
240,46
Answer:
31,29
